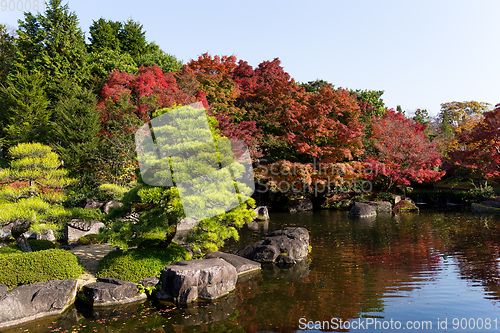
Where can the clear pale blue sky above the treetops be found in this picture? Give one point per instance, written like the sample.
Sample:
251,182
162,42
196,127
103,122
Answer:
421,53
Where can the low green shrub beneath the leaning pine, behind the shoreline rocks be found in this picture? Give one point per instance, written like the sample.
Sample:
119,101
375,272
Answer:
136,264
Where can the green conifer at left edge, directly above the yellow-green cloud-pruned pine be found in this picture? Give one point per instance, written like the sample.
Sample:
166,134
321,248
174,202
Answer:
25,115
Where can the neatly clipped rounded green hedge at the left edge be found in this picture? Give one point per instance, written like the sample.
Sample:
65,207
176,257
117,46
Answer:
25,268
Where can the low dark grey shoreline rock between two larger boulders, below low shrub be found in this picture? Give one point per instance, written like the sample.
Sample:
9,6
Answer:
111,291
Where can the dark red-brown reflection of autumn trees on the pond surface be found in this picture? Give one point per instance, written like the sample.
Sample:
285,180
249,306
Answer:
356,265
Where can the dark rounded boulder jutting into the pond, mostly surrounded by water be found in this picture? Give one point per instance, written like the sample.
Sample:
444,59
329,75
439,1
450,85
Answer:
286,246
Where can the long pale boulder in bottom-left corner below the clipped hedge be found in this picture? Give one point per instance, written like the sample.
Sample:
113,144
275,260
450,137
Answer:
33,301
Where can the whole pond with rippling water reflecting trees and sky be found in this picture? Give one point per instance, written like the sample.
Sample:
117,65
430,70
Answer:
435,271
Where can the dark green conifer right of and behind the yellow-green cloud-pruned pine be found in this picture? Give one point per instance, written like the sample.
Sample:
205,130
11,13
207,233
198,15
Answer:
76,126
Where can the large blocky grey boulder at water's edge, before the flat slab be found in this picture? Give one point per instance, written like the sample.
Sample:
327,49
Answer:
186,281
